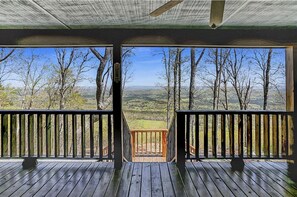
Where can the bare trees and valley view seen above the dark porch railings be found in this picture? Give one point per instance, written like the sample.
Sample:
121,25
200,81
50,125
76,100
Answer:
191,79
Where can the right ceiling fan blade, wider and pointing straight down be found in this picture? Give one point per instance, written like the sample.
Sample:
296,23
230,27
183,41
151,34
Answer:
216,13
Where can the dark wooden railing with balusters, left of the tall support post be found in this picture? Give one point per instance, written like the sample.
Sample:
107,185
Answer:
56,134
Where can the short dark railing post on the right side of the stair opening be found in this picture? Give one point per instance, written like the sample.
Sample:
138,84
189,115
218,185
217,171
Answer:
180,142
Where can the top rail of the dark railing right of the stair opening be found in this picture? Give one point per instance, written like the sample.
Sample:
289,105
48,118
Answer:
234,112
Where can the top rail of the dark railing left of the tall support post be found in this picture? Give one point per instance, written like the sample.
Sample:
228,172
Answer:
45,111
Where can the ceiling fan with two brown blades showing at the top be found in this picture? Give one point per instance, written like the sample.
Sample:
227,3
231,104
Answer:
216,11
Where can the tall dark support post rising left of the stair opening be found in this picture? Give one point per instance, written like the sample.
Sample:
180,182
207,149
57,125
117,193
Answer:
117,105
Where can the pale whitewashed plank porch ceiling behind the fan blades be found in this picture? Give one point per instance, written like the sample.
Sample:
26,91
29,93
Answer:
79,14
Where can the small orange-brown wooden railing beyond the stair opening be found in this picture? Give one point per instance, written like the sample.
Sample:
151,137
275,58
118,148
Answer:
149,142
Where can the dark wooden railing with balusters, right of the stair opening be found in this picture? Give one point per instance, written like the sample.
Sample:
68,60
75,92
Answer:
229,134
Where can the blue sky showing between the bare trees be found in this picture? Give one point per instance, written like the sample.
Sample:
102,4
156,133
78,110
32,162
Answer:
147,67
